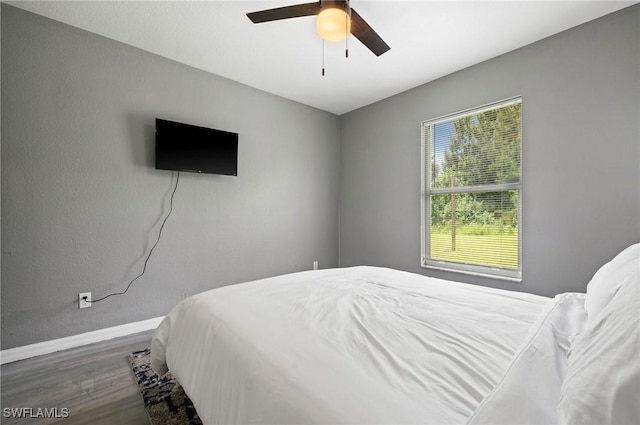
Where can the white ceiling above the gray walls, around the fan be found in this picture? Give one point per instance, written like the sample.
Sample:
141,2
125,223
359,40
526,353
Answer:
428,39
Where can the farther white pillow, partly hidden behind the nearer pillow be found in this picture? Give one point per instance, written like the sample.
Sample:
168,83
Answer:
607,280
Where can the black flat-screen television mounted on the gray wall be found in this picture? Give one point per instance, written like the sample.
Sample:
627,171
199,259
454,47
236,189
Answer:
185,147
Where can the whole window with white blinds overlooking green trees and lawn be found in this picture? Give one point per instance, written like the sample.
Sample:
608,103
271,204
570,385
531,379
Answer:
471,191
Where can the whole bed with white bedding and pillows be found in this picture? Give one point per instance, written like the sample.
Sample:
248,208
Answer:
371,345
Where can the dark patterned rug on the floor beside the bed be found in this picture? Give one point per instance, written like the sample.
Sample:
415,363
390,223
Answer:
164,399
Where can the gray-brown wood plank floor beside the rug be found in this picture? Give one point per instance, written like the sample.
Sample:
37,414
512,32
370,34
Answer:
93,382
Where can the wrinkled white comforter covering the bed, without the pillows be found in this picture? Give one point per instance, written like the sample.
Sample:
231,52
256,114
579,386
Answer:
359,345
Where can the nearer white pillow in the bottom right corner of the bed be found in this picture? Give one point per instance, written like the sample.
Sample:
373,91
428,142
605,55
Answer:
602,380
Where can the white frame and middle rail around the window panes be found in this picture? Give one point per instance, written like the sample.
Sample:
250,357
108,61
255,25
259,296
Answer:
426,261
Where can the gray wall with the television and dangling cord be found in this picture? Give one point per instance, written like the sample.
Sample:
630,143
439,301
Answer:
82,202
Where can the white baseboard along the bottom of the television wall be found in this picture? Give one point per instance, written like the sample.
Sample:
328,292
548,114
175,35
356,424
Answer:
46,347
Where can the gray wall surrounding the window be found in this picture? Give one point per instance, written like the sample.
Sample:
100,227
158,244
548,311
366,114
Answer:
581,156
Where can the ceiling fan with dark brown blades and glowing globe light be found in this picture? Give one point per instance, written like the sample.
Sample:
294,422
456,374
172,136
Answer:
336,19
